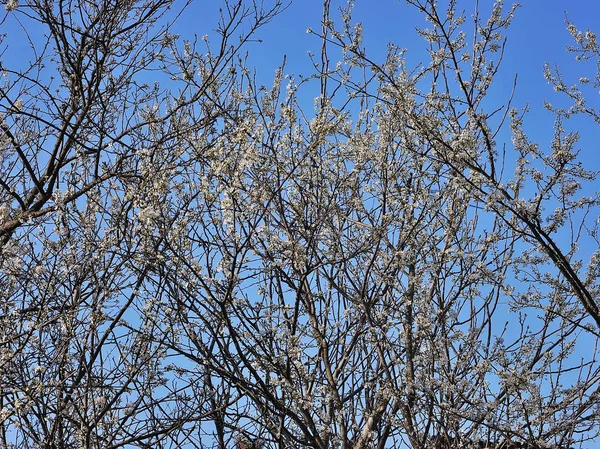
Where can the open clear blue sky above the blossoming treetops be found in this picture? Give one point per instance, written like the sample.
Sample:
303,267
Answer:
538,35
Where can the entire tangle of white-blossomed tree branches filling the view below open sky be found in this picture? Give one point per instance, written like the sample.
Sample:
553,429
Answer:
214,266
